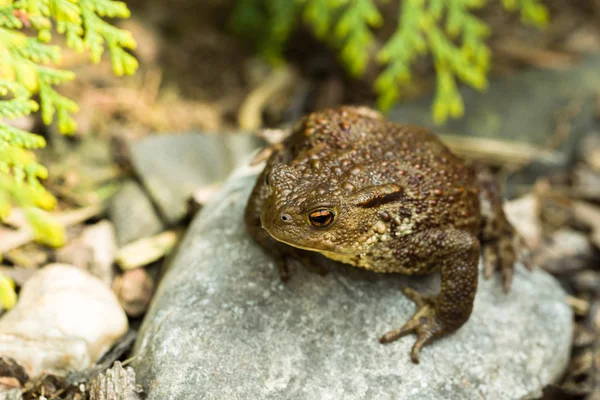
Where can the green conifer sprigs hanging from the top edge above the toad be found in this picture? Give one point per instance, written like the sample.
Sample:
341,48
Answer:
447,30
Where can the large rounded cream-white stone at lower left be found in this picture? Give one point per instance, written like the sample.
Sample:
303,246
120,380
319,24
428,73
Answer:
65,320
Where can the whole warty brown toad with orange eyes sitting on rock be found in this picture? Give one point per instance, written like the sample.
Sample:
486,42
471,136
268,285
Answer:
359,189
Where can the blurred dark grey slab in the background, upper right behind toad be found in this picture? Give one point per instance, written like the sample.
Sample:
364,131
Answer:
524,107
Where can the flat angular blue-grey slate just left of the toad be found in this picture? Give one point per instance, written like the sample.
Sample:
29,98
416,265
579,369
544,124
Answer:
172,166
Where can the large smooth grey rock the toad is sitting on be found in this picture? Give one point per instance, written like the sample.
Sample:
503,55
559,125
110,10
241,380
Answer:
222,325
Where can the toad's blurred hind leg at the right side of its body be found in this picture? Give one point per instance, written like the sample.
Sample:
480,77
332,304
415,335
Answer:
499,240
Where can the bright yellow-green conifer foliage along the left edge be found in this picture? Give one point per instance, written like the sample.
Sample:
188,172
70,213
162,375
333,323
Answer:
28,67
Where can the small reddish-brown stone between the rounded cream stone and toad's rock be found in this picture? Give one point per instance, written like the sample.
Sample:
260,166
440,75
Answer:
134,290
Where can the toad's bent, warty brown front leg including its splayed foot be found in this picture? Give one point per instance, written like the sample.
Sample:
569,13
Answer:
457,253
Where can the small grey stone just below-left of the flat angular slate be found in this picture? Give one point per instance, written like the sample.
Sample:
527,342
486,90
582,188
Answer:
133,214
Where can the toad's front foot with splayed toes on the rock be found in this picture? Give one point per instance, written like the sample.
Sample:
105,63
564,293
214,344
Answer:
425,323
